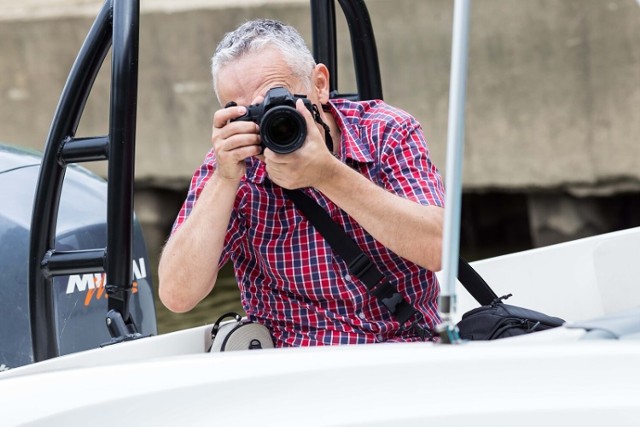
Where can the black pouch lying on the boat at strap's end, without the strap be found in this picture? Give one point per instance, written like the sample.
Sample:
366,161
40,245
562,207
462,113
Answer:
499,320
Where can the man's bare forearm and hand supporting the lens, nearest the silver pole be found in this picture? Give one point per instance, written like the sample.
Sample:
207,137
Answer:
409,229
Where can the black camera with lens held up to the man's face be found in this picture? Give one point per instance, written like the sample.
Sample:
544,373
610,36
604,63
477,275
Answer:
282,128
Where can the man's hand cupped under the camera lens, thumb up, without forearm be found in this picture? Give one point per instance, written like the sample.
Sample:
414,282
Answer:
305,167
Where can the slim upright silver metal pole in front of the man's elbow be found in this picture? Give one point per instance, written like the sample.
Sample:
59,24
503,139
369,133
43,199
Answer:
453,180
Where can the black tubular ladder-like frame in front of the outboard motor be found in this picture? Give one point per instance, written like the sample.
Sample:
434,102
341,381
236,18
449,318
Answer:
117,24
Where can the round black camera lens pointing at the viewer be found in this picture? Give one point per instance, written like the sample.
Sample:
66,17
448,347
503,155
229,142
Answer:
283,129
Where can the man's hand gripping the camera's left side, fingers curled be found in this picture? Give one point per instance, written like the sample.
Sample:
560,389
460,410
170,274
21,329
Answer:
233,142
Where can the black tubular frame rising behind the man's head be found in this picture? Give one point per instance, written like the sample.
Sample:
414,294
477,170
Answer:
363,45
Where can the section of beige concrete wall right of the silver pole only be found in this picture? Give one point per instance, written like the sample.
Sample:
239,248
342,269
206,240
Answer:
555,94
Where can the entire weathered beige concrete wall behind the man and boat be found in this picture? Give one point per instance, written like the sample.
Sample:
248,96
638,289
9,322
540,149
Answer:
554,85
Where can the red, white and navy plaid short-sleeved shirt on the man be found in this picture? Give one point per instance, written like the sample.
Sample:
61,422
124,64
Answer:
289,278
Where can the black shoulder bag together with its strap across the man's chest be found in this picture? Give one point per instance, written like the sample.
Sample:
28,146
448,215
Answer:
492,320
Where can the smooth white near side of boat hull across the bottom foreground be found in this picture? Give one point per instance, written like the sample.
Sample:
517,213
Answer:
553,380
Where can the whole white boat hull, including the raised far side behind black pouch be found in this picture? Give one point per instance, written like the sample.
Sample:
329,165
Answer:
552,377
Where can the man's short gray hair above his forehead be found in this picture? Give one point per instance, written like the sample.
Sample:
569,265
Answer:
252,36
